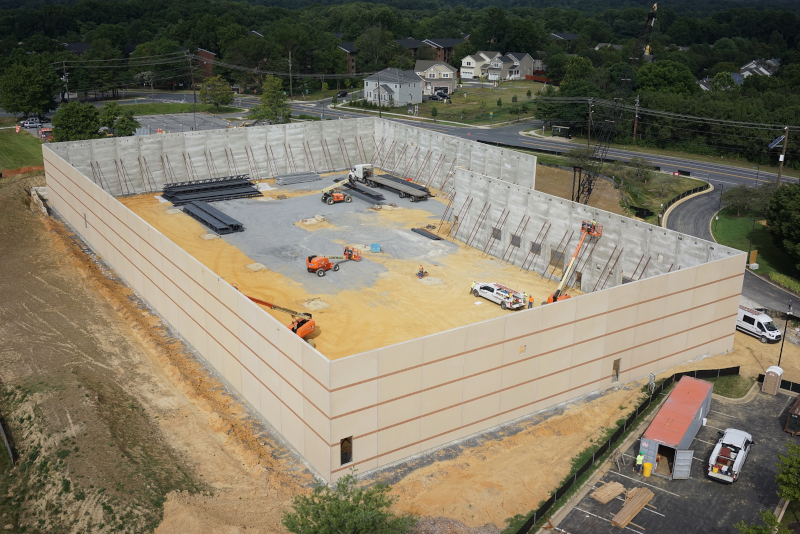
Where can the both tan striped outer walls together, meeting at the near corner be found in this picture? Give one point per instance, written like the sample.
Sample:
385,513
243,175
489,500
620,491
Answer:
407,398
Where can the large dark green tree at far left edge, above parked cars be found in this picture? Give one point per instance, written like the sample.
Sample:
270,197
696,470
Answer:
29,90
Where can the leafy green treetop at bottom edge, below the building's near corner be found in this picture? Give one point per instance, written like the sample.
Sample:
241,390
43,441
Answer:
345,509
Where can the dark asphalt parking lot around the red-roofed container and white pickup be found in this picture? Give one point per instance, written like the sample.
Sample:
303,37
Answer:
700,504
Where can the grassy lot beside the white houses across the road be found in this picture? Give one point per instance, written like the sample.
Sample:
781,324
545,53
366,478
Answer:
466,107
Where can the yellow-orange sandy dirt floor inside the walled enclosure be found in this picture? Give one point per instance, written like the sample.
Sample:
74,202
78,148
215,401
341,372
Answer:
399,307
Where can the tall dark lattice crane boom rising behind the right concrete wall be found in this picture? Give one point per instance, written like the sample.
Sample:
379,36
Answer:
608,128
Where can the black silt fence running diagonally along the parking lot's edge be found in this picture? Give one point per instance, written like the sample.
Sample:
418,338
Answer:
616,436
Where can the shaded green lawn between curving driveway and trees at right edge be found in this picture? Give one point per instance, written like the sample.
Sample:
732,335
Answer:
735,232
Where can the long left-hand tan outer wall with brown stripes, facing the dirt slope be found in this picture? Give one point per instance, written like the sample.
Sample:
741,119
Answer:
279,375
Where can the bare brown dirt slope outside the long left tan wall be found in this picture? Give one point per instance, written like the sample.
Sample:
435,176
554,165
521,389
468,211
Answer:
110,415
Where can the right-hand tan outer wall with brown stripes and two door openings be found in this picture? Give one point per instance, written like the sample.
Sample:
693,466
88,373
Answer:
407,398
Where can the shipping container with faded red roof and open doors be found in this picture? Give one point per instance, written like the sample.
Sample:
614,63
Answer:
672,431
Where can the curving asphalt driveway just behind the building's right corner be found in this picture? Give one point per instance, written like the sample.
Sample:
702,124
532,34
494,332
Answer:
693,217
